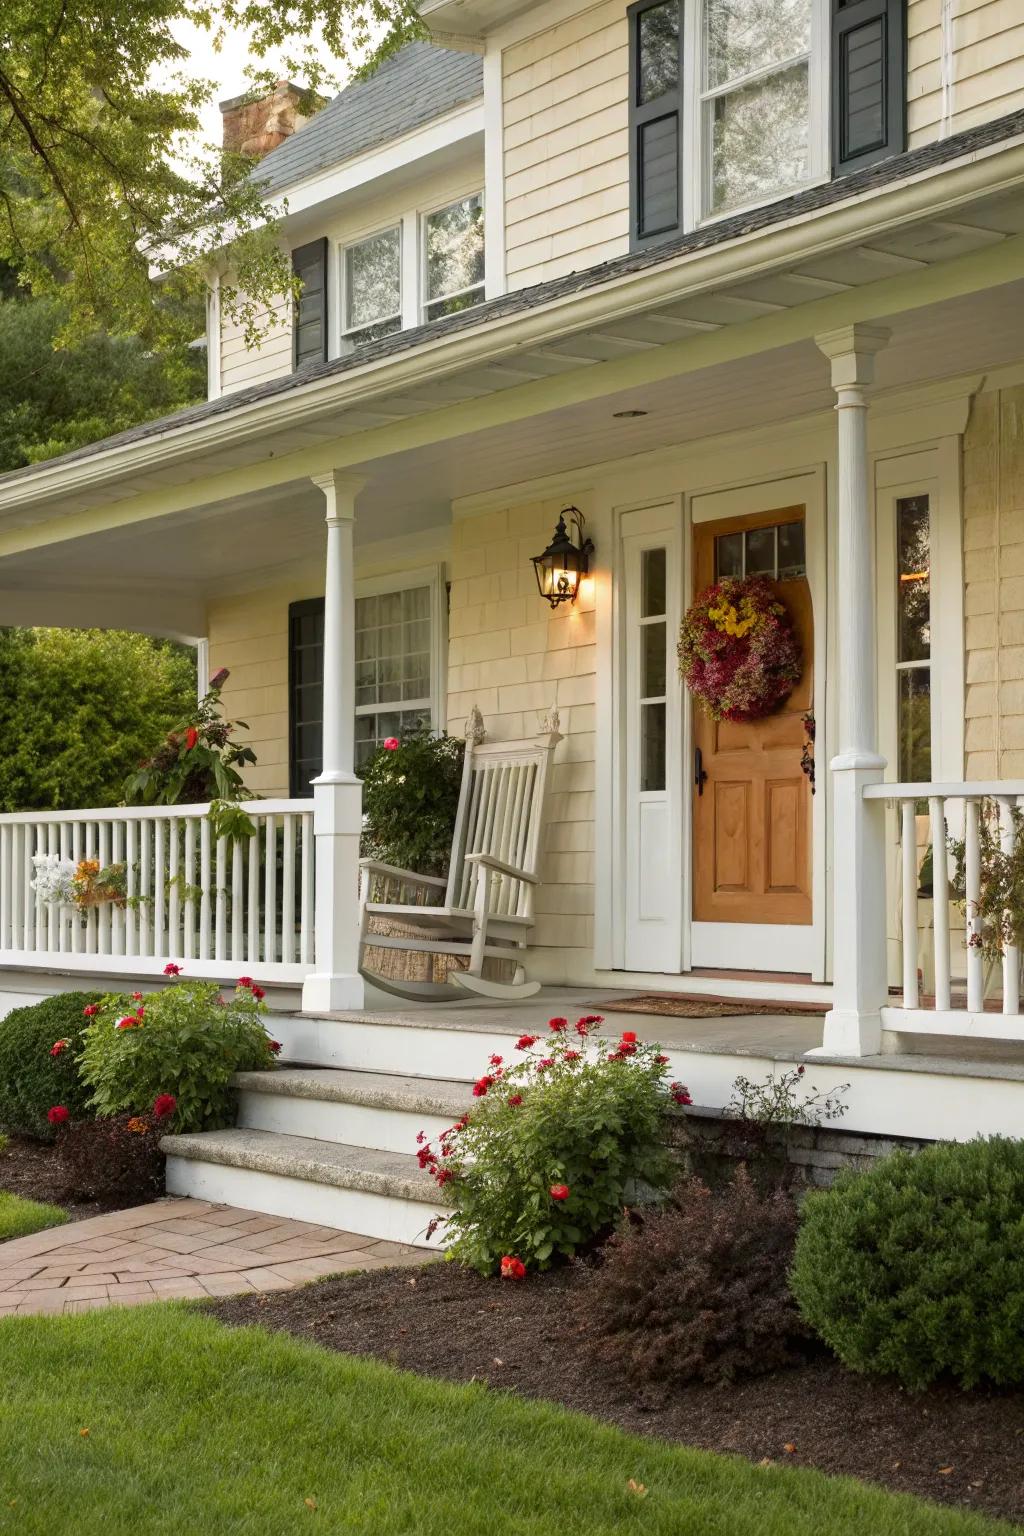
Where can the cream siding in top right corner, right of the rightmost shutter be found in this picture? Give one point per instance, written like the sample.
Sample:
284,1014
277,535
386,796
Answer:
966,71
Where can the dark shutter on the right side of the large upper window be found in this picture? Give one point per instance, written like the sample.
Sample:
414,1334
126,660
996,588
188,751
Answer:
870,67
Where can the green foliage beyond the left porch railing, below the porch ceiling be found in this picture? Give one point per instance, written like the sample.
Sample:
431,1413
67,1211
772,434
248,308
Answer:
79,709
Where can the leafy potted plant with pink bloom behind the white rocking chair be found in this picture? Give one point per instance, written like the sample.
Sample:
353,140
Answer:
411,796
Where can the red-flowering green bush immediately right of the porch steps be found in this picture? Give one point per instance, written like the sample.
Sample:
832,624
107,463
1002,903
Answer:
555,1147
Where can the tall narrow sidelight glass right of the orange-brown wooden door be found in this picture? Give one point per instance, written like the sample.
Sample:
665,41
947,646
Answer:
914,640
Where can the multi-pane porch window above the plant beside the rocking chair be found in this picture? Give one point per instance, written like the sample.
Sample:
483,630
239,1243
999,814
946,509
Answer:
394,666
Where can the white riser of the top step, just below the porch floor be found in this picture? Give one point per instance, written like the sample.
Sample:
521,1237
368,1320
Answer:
458,1054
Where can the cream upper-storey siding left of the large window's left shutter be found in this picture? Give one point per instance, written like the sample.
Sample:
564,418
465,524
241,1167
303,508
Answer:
566,147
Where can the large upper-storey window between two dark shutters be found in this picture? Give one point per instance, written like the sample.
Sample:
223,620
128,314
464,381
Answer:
756,99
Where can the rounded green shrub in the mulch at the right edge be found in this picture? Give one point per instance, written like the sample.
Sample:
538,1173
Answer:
916,1268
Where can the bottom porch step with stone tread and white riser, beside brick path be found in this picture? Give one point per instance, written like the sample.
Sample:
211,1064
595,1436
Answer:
354,1188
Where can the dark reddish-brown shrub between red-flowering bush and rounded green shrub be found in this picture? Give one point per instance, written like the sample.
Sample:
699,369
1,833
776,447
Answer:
698,1289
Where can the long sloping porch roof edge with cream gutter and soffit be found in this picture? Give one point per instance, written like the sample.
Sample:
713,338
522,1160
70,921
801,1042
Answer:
942,220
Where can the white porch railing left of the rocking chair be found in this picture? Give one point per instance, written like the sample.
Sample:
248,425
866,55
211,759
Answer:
217,907
